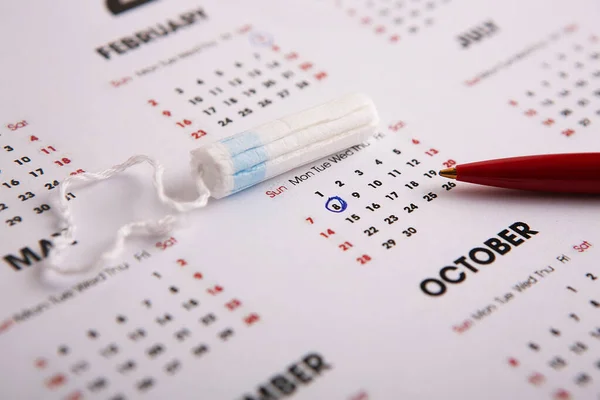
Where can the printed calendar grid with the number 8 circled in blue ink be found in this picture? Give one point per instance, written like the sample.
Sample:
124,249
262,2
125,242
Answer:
379,199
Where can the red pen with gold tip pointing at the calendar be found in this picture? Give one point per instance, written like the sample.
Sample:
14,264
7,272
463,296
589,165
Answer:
564,173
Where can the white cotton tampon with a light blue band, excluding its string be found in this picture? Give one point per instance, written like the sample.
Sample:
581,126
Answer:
250,157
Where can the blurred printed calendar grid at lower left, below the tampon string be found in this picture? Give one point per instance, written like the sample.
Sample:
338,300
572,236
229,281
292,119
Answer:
183,312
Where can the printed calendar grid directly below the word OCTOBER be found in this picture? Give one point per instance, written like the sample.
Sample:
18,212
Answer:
572,339
